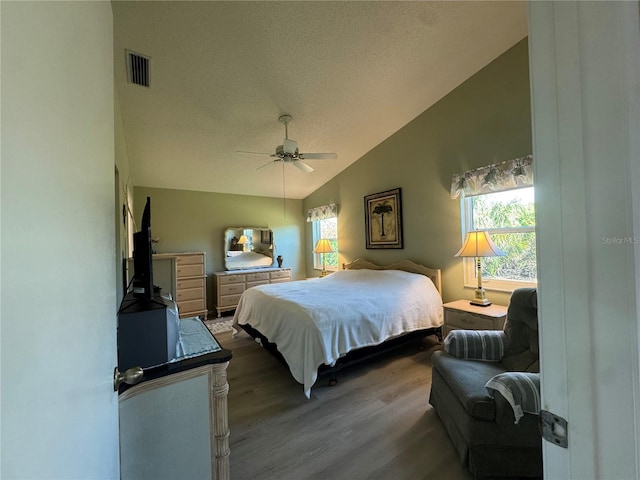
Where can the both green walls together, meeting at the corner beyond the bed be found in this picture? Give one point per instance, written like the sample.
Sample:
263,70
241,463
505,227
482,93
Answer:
485,120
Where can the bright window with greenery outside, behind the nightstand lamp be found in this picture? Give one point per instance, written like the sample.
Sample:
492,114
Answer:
509,218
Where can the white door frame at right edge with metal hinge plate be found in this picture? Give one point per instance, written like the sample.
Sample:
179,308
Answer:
585,86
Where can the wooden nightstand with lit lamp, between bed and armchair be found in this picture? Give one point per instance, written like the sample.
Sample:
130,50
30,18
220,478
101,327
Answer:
462,315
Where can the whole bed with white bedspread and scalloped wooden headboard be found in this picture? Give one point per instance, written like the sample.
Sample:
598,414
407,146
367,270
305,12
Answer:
319,324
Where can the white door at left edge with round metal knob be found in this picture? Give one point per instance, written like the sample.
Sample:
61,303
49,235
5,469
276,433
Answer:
59,411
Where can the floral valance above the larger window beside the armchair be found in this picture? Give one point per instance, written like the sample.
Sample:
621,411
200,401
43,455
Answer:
515,173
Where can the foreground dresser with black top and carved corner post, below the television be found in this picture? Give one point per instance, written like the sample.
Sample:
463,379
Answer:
174,424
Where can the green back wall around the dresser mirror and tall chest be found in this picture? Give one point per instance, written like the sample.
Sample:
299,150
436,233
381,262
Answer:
190,221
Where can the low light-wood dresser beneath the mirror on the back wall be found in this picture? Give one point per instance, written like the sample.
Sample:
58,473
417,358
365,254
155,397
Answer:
231,284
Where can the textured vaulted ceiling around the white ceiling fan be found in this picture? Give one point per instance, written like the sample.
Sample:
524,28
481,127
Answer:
351,73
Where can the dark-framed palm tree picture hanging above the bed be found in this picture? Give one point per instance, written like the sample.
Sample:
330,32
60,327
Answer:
383,219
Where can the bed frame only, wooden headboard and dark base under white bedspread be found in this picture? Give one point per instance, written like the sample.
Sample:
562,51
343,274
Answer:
366,353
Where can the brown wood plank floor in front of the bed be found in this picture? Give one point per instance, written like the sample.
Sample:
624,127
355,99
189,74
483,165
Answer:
376,423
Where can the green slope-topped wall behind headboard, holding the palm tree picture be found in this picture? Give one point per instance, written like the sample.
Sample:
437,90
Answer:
485,120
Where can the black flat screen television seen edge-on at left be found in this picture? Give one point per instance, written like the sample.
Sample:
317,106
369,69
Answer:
142,259
